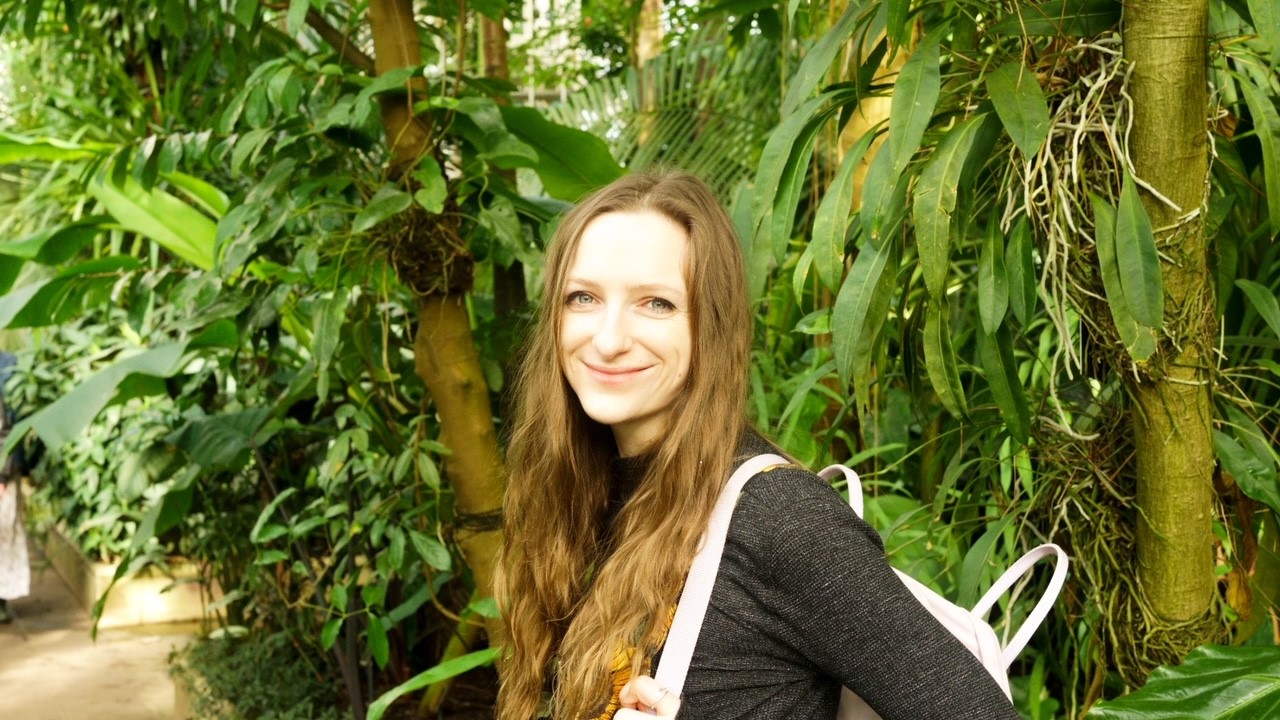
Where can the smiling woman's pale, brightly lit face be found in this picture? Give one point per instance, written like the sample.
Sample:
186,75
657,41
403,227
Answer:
625,336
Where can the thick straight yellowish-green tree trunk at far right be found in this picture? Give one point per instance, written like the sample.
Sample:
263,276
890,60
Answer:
1167,43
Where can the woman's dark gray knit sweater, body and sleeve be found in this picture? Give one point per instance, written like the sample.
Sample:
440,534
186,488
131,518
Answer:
804,603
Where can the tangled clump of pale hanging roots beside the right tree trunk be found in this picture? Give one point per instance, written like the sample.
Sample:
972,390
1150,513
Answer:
1087,446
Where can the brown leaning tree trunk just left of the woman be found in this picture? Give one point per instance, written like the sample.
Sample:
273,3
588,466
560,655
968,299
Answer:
445,350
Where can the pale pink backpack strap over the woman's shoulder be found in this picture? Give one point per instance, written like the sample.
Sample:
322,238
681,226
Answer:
688,623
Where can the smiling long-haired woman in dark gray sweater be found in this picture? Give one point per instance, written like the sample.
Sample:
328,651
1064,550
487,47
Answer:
629,418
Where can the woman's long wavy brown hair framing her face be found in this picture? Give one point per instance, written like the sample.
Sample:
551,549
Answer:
568,608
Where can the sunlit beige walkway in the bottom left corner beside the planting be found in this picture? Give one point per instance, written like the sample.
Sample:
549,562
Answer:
52,669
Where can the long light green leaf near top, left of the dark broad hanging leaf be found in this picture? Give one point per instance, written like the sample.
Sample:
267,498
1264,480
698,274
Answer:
916,94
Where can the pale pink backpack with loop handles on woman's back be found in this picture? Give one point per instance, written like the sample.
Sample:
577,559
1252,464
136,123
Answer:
968,626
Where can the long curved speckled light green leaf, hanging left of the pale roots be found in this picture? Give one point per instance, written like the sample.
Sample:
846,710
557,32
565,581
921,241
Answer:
935,203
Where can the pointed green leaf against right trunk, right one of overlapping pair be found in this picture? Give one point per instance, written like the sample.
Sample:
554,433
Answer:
1137,259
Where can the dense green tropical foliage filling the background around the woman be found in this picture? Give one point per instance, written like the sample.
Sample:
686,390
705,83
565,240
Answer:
218,272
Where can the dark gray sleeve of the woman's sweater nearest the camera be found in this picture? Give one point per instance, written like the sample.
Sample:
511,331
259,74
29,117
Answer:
836,601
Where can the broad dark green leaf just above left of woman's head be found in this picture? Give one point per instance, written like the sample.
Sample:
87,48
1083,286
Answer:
570,162
